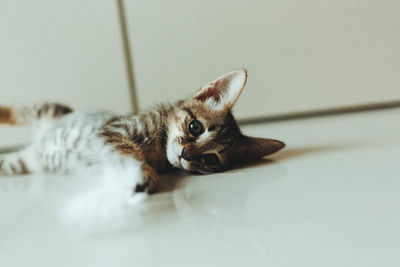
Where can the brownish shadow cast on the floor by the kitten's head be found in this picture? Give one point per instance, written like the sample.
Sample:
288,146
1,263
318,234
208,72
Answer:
174,180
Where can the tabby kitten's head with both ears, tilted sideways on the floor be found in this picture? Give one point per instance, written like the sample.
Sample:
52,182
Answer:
203,135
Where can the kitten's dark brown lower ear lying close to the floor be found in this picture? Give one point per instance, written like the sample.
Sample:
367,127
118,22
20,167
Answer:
253,148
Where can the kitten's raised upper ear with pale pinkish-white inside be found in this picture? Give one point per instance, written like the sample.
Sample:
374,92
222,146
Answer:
224,91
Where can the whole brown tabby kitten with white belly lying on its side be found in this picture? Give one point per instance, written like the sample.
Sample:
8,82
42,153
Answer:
198,134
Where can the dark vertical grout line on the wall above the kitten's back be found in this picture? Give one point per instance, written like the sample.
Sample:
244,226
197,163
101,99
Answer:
127,55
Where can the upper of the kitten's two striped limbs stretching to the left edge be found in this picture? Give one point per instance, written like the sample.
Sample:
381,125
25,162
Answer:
34,113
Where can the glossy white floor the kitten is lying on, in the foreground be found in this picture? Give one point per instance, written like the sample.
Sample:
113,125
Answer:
331,198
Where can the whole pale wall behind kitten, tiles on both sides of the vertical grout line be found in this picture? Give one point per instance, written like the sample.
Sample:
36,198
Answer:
301,56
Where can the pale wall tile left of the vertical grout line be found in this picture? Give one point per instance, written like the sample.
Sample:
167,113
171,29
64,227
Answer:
66,51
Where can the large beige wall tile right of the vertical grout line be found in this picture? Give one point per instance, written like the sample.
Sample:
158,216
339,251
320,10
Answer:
301,55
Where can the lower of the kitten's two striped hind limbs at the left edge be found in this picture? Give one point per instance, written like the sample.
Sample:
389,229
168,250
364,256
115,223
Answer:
19,162
